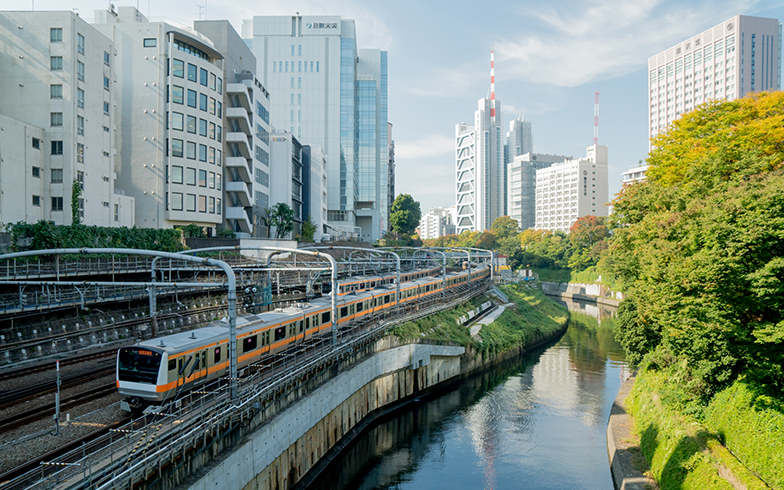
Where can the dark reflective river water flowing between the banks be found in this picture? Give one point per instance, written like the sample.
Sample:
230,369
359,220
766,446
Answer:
537,422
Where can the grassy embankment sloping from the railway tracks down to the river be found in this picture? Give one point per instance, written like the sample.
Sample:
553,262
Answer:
536,317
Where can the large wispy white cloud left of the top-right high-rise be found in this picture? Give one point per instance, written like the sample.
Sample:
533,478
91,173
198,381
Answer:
603,39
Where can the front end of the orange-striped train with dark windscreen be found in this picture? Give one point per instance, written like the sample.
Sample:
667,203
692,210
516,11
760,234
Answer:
138,374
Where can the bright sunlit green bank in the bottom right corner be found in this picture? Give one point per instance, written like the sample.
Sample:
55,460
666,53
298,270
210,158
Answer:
736,441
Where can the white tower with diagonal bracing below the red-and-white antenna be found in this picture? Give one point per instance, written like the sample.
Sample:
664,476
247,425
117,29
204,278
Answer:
479,170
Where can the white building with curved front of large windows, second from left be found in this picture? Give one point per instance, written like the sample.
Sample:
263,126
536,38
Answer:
170,104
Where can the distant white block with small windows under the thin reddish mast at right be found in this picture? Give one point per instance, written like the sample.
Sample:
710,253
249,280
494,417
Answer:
572,189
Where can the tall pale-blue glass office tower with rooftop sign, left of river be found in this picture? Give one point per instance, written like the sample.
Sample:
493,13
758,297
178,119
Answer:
326,91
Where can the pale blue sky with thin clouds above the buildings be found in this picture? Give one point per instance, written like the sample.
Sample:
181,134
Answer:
550,59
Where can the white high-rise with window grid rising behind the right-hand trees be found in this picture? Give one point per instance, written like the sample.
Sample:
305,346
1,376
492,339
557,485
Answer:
738,56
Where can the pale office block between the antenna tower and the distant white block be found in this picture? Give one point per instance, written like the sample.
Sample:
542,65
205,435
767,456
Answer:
521,188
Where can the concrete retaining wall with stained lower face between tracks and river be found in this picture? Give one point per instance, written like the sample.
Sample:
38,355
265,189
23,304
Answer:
280,452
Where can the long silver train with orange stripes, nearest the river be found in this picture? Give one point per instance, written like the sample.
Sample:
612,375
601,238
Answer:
157,370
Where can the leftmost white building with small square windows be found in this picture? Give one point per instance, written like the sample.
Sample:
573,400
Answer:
58,88
